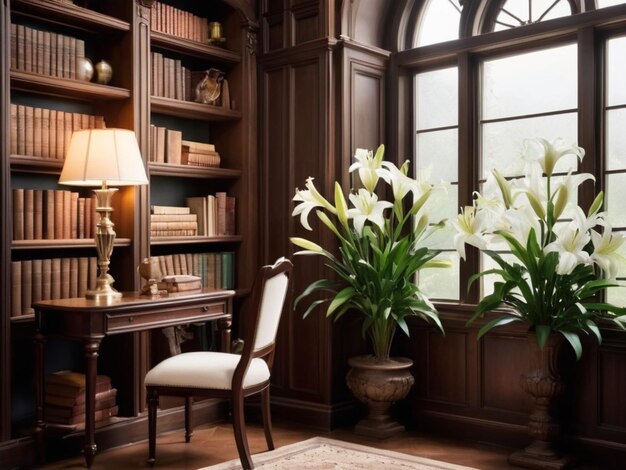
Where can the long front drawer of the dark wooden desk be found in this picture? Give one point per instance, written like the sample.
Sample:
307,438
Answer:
165,317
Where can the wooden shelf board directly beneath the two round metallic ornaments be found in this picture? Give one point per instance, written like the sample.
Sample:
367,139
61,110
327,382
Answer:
65,87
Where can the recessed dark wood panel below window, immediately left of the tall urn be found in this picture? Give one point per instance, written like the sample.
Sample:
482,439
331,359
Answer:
503,359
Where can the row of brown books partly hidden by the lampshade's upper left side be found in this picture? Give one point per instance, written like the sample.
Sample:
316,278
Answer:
43,132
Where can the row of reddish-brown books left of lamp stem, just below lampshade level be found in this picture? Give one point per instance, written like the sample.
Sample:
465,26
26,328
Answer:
52,214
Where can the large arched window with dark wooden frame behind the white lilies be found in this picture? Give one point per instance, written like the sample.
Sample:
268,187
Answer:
542,68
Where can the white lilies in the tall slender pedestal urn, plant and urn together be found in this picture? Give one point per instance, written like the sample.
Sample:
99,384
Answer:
560,261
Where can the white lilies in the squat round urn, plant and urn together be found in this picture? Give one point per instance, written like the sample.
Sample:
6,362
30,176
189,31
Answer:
381,247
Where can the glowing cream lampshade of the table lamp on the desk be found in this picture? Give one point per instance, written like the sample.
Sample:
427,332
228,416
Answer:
95,156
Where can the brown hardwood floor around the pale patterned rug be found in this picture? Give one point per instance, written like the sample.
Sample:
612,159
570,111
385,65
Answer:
214,444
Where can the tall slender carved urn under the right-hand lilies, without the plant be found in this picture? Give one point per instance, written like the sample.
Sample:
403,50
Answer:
544,383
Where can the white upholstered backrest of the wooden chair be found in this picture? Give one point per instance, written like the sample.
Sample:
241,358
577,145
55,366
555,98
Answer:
268,298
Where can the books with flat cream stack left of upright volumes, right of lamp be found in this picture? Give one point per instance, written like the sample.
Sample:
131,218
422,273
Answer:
214,215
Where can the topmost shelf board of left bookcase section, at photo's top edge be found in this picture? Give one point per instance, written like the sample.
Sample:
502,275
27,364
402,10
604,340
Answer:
69,15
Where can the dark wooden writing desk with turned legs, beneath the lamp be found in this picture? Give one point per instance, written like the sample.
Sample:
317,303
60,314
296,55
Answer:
89,321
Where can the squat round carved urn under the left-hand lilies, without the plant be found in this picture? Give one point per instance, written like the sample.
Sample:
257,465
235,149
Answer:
379,384
